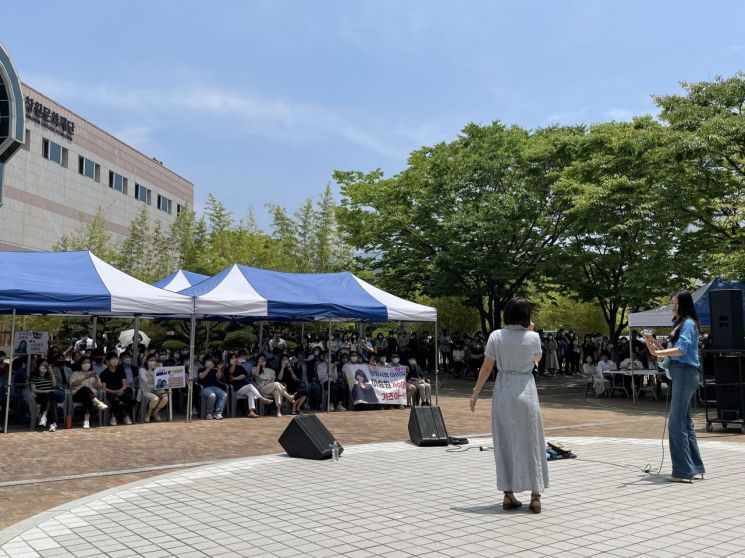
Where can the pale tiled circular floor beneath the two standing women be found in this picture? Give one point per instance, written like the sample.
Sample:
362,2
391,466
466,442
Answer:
599,504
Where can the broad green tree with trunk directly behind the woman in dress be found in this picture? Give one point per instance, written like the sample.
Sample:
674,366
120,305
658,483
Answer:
478,218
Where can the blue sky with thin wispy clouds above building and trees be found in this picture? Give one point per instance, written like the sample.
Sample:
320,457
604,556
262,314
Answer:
259,101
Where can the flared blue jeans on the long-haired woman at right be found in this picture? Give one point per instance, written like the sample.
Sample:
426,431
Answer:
684,452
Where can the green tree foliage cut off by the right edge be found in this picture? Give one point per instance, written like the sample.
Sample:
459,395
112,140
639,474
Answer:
709,137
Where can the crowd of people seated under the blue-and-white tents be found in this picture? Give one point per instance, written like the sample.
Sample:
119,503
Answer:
112,380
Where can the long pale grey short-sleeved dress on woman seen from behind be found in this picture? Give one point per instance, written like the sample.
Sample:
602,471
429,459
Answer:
517,428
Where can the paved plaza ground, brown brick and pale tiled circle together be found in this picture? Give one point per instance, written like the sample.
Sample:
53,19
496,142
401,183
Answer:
384,497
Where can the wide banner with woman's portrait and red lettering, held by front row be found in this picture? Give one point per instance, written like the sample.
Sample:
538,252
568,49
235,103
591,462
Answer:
378,385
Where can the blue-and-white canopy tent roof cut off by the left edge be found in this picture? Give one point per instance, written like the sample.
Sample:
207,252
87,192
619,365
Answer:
78,283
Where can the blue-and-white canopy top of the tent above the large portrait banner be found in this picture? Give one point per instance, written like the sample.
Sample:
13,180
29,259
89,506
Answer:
246,292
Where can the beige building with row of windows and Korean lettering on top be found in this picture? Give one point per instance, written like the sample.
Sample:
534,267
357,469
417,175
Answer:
68,168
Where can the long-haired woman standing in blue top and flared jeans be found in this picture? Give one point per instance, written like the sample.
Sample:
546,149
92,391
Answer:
684,365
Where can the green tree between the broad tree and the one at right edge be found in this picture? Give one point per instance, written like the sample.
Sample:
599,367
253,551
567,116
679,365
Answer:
623,250
